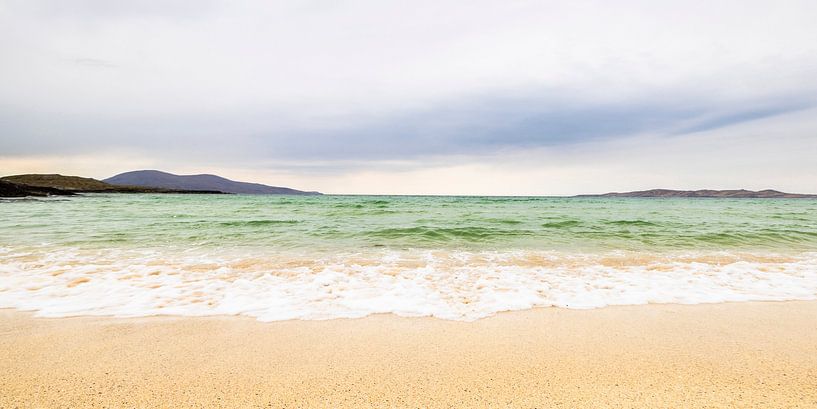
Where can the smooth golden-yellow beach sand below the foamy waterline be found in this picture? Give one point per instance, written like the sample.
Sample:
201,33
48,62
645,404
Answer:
719,355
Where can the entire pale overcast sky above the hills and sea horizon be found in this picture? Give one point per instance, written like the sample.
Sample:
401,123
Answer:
421,97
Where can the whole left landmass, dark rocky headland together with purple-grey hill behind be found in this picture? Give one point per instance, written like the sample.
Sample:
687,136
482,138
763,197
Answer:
149,181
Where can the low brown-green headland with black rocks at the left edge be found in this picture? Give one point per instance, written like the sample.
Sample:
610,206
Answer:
54,184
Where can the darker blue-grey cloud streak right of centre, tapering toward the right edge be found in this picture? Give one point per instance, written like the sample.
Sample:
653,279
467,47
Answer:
506,124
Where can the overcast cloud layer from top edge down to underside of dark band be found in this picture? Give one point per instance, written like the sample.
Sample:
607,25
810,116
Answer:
338,85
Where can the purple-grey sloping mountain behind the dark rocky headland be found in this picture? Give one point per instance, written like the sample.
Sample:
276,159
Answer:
157,179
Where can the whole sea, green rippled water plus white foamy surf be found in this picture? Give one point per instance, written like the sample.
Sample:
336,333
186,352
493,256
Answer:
459,258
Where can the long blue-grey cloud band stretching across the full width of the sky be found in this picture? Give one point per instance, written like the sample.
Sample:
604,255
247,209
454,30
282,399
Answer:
462,127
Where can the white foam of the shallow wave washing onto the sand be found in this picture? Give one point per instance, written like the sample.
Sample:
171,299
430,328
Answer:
450,285
